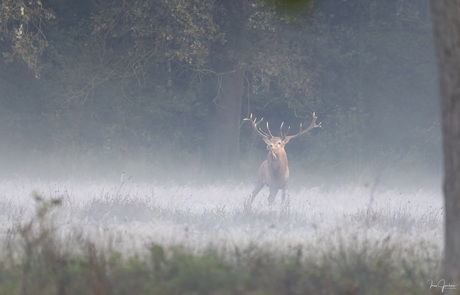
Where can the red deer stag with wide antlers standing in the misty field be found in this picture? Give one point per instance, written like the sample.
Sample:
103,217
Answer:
274,171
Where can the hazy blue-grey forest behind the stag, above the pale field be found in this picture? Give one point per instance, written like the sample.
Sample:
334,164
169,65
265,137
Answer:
158,89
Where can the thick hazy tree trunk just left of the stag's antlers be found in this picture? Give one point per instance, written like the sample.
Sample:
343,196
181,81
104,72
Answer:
223,146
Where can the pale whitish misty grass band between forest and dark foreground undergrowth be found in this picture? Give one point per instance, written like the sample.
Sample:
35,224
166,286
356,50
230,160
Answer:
130,216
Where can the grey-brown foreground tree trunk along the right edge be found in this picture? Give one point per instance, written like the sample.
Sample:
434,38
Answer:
446,20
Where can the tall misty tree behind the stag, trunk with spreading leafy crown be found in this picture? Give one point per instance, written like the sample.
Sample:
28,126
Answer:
219,41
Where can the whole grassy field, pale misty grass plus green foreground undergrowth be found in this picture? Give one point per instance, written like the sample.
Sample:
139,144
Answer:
140,238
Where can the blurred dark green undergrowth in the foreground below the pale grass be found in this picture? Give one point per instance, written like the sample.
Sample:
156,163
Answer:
37,263
